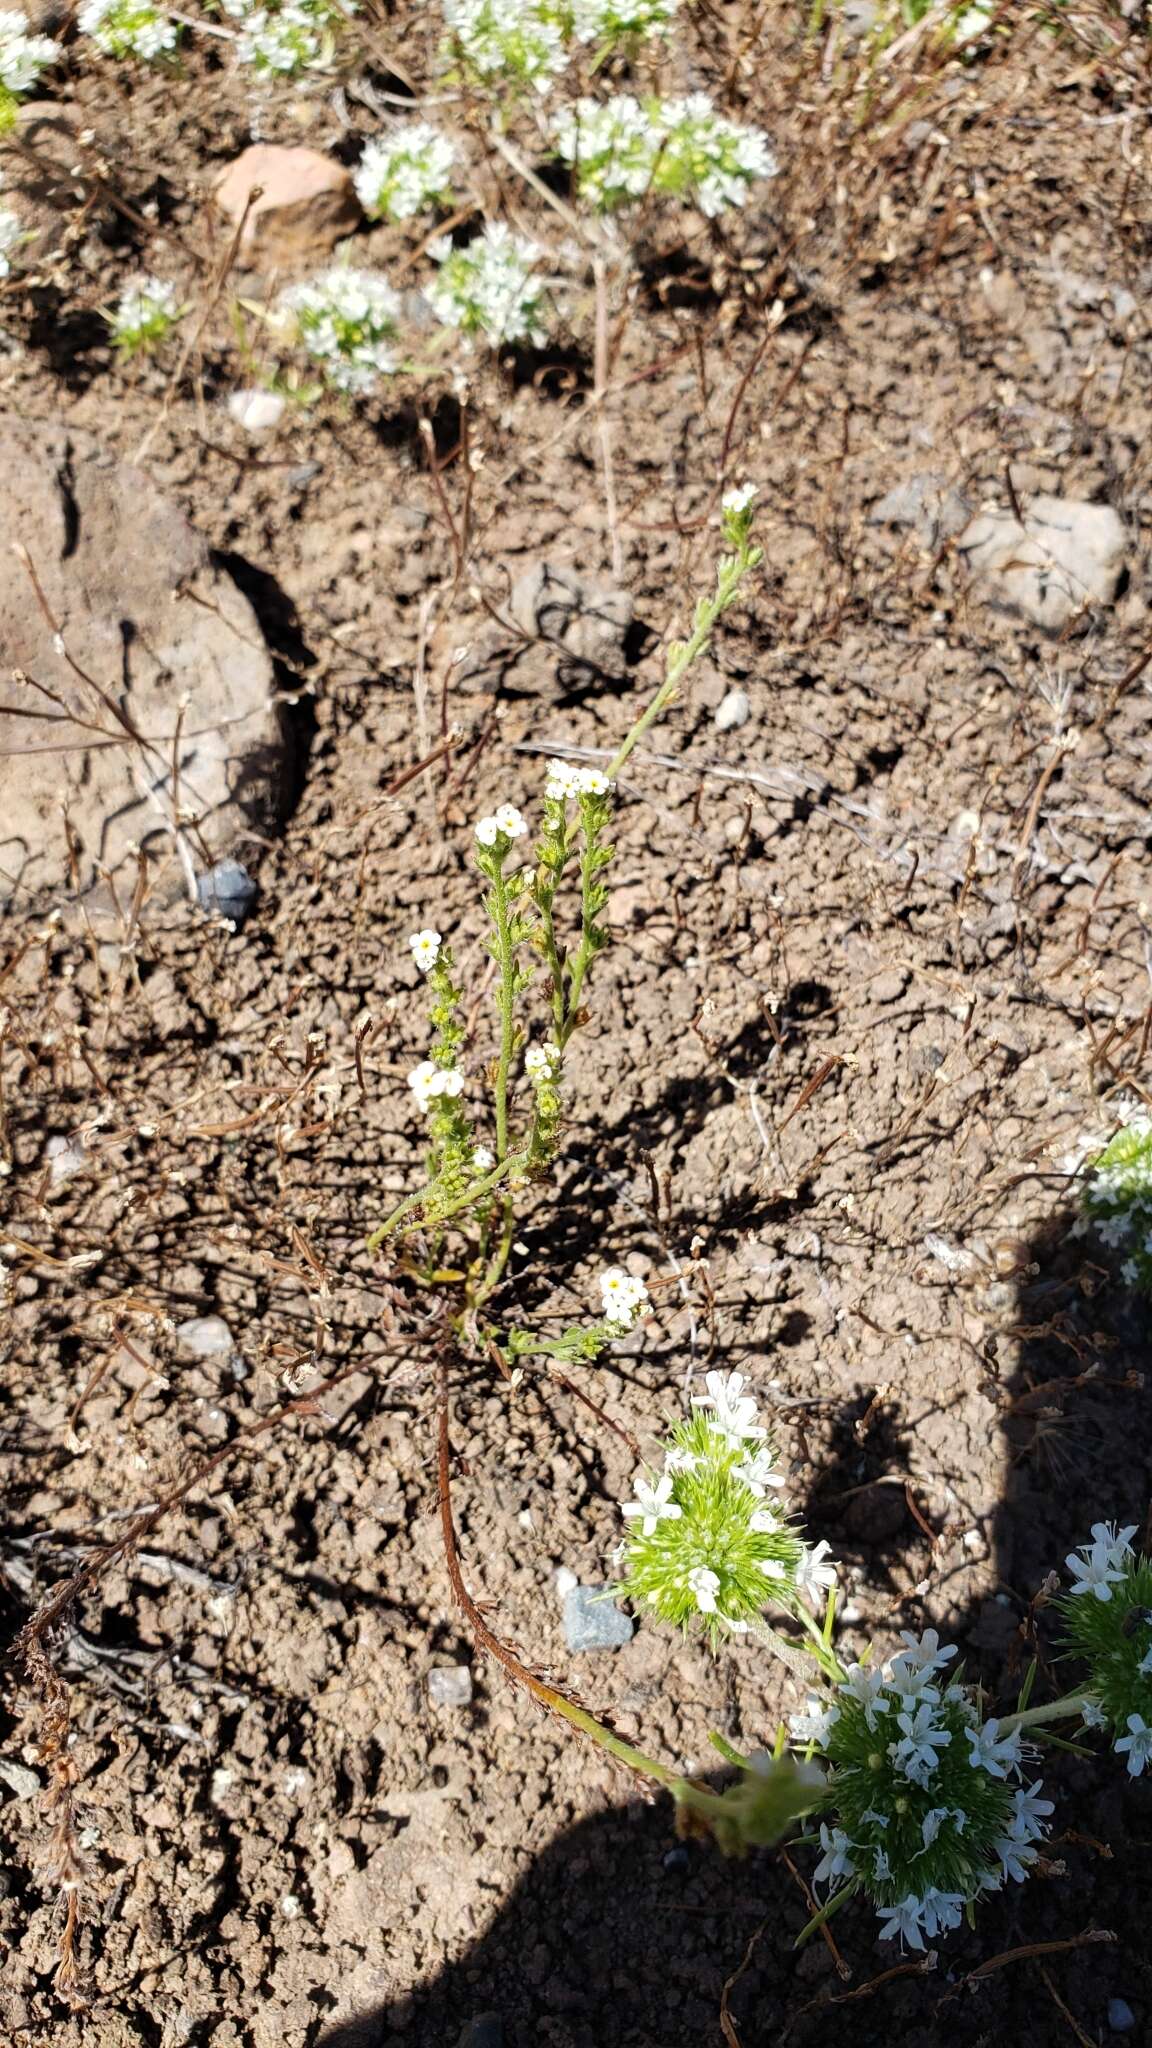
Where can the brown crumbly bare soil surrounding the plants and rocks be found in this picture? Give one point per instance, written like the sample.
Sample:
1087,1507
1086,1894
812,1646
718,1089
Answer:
880,962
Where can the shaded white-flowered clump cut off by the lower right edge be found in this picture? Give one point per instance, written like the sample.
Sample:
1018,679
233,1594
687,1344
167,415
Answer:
1108,1621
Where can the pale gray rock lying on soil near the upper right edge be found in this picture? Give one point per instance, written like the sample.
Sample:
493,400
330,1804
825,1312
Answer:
1065,558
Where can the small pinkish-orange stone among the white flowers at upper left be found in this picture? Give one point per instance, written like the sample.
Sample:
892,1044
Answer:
306,206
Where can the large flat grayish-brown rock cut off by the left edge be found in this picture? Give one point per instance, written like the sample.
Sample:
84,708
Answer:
161,654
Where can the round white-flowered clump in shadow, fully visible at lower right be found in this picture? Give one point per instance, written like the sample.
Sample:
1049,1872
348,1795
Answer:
928,1801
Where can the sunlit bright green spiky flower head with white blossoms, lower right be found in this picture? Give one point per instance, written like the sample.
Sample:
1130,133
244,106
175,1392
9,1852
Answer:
723,1543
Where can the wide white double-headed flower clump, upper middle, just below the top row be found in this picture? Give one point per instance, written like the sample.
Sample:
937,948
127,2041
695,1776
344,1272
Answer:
626,148
